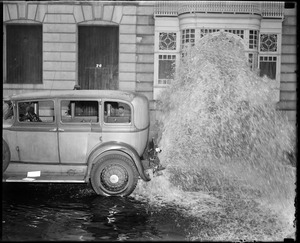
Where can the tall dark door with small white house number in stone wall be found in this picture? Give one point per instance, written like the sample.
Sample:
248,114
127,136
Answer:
98,57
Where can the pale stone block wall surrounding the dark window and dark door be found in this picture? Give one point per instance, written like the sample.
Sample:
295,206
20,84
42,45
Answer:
60,21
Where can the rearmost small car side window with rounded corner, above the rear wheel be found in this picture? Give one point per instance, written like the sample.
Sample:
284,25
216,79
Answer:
116,112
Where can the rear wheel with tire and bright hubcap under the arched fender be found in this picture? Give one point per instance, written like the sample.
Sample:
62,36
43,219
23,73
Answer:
114,175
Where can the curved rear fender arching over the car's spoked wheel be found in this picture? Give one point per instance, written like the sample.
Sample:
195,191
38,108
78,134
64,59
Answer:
115,147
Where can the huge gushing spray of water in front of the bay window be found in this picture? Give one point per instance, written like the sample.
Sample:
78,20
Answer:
225,146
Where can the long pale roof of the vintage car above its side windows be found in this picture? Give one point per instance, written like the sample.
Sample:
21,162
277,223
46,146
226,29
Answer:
115,94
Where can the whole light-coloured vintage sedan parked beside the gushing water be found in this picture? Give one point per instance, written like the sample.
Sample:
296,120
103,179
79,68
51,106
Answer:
79,136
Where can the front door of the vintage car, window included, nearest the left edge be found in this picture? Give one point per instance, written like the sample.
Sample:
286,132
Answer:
36,138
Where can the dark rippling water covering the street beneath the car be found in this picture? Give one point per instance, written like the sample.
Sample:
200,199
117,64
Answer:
43,212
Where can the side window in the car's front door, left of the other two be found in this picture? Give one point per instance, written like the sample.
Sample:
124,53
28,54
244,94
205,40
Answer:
36,111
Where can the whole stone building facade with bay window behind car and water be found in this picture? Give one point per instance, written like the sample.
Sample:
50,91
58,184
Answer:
138,41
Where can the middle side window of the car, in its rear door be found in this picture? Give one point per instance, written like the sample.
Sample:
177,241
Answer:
79,111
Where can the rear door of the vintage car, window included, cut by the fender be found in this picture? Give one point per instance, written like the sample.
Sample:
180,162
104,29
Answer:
79,129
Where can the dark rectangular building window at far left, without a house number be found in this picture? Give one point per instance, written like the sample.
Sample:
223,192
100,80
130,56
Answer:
24,54
